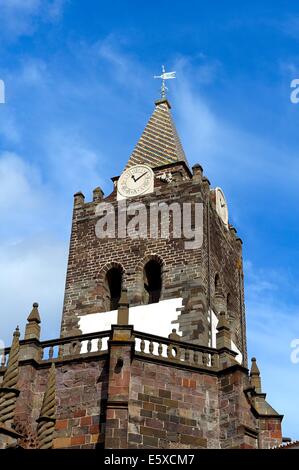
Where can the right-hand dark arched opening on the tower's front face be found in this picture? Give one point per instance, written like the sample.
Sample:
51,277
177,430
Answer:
152,276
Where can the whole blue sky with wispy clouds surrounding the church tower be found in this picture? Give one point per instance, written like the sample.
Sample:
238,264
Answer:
79,90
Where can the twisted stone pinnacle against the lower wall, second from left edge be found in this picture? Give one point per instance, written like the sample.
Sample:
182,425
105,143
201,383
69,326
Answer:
46,421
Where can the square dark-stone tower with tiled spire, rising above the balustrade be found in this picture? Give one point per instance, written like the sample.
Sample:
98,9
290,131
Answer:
207,279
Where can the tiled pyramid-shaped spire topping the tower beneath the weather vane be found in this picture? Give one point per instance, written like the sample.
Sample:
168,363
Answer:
159,143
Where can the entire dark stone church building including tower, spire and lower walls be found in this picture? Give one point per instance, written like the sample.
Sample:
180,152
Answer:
152,351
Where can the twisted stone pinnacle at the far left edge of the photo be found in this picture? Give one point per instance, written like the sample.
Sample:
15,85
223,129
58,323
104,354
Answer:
8,391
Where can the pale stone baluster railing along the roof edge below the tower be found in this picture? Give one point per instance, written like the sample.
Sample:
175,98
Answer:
147,346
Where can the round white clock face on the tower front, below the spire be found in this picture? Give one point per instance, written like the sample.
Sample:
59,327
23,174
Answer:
135,181
